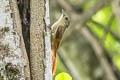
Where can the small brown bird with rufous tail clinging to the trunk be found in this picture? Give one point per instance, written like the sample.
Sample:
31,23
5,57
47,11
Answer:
58,30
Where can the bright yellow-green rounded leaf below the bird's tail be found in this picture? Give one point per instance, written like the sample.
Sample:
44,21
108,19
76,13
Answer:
63,76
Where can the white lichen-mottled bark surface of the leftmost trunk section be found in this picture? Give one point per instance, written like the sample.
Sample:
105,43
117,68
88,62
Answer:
11,60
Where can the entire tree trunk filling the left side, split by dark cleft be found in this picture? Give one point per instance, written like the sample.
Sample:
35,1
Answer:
14,62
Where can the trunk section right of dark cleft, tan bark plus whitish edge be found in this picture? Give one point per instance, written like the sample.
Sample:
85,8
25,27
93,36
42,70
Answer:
40,47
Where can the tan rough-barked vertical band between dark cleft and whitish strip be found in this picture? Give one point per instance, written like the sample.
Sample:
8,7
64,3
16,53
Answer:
37,47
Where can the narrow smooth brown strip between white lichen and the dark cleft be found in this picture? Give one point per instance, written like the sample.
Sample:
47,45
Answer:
18,28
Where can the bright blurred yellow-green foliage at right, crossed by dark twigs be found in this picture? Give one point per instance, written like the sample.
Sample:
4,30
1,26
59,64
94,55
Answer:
110,43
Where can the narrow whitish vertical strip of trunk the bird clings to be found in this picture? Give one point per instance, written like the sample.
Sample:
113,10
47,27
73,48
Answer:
48,54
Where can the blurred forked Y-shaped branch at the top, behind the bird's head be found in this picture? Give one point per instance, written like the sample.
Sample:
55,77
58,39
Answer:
81,19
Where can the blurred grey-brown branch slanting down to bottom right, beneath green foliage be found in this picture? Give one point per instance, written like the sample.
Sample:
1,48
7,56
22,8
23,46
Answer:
99,53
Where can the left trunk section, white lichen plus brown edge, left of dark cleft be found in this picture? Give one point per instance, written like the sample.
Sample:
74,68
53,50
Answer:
13,58
